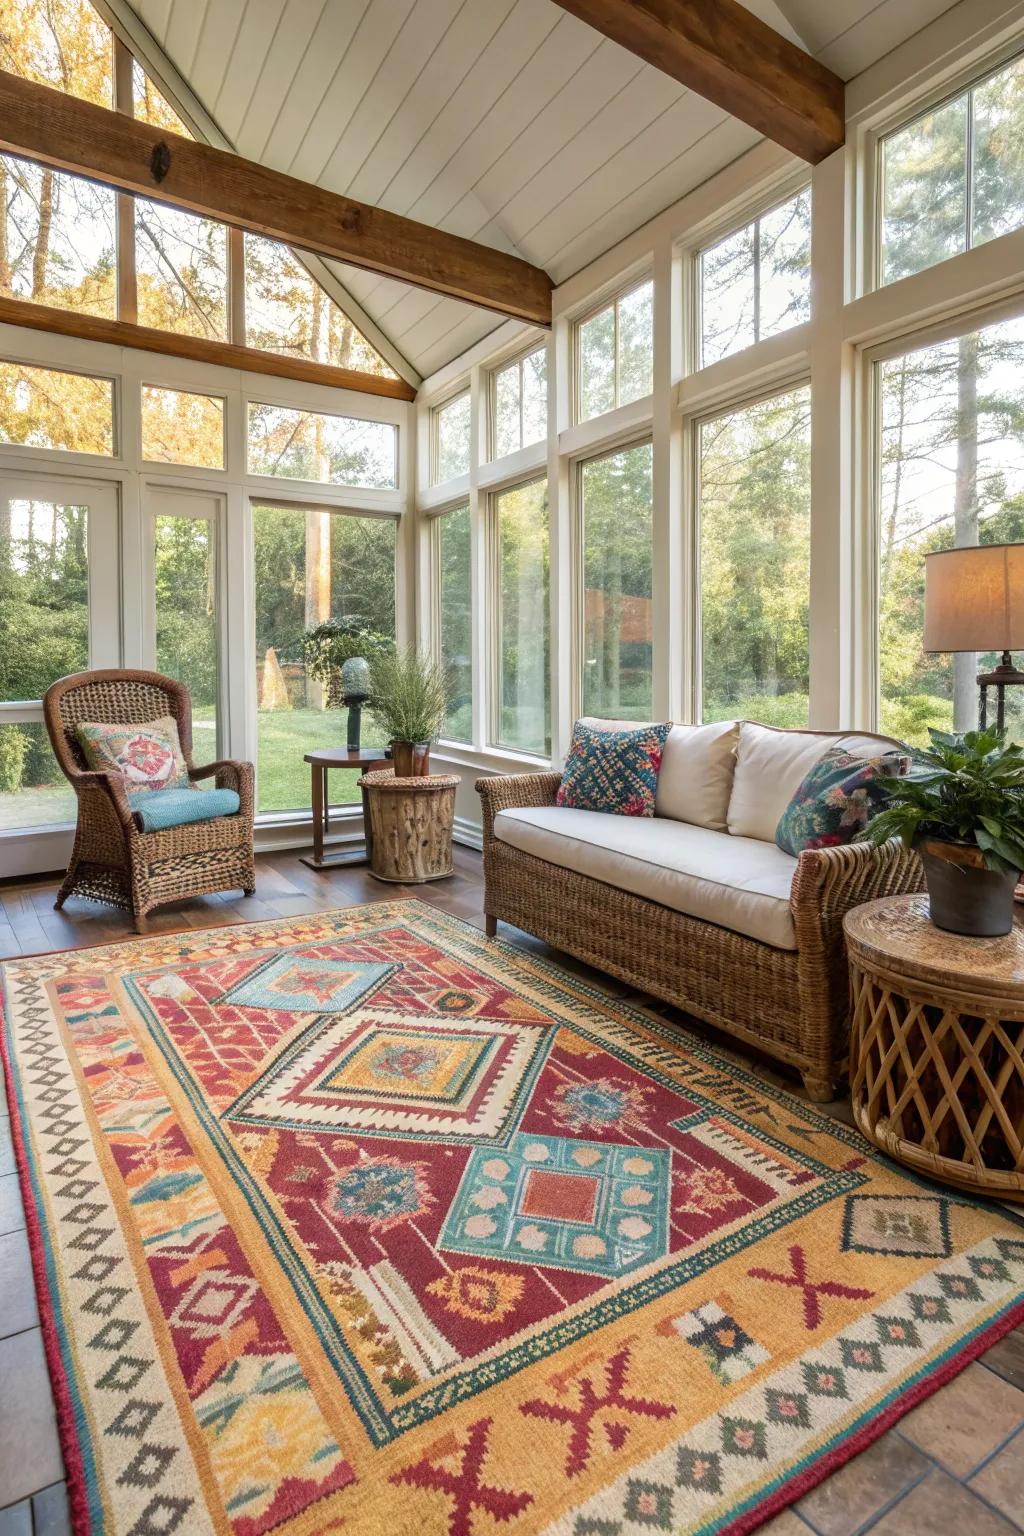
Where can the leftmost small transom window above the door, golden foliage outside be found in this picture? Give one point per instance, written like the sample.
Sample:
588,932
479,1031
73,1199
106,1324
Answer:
45,409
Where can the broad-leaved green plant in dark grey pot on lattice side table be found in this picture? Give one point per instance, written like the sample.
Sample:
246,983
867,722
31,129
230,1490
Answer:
963,809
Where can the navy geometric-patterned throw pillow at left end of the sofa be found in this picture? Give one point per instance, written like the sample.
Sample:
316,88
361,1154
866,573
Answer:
613,772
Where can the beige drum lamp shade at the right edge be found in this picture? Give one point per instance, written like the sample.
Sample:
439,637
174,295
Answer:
974,600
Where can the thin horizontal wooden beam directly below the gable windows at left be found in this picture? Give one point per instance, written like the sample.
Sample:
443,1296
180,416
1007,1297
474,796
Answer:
223,354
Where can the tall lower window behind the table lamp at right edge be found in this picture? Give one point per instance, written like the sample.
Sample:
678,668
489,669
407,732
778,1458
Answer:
953,474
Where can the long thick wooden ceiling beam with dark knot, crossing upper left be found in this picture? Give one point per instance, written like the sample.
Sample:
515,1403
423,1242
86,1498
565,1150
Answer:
93,142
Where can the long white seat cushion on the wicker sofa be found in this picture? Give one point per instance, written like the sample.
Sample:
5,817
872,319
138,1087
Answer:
736,882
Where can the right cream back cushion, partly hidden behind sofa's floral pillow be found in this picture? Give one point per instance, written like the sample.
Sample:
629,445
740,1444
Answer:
771,764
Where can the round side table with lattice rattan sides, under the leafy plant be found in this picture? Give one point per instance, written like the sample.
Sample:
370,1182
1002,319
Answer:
937,1045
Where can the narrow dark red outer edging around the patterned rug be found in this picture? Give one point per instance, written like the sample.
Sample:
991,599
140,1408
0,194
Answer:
748,1521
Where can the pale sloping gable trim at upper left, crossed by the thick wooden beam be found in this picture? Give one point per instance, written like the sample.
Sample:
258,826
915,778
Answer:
136,36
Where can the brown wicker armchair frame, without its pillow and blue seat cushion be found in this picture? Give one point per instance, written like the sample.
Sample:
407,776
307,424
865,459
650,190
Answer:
113,859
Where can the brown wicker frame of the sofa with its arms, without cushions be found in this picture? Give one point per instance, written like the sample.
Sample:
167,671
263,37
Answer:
791,1004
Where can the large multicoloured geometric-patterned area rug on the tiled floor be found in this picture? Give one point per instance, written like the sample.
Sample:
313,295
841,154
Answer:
365,1223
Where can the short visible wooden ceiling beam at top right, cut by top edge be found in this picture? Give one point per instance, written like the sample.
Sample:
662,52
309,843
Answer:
727,55
